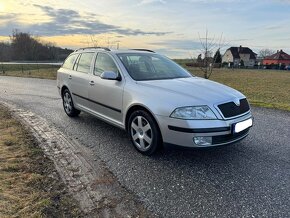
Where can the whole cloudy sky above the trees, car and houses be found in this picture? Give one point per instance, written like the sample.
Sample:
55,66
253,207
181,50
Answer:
171,27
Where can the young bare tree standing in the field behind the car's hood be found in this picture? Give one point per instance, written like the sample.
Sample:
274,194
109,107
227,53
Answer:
209,46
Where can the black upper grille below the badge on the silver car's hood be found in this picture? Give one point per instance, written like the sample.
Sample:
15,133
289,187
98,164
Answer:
230,109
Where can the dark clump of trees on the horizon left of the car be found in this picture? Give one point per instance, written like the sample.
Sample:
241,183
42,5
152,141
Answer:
25,47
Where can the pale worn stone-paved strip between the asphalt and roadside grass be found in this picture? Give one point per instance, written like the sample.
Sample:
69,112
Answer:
95,188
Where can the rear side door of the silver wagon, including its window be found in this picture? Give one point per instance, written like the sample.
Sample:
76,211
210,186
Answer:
80,79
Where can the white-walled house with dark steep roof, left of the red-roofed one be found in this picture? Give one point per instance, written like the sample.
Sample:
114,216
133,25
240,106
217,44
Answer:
239,55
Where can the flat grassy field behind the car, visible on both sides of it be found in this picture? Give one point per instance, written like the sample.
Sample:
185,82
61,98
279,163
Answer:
264,88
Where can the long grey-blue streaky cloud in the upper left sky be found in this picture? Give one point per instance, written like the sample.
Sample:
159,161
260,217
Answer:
70,22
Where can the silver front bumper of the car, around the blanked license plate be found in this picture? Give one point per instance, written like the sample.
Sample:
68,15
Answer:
184,132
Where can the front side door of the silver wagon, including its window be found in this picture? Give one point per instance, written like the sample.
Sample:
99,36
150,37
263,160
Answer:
106,95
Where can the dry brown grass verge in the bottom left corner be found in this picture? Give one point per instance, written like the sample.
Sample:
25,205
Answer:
29,187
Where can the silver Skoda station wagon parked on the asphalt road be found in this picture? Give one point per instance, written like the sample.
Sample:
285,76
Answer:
151,97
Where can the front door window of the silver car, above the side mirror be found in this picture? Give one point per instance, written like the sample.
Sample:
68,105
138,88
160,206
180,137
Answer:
104,63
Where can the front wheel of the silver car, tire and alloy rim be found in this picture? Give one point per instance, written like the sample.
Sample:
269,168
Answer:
144,132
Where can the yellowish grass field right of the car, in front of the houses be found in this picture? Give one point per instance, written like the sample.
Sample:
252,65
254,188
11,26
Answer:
264,88
